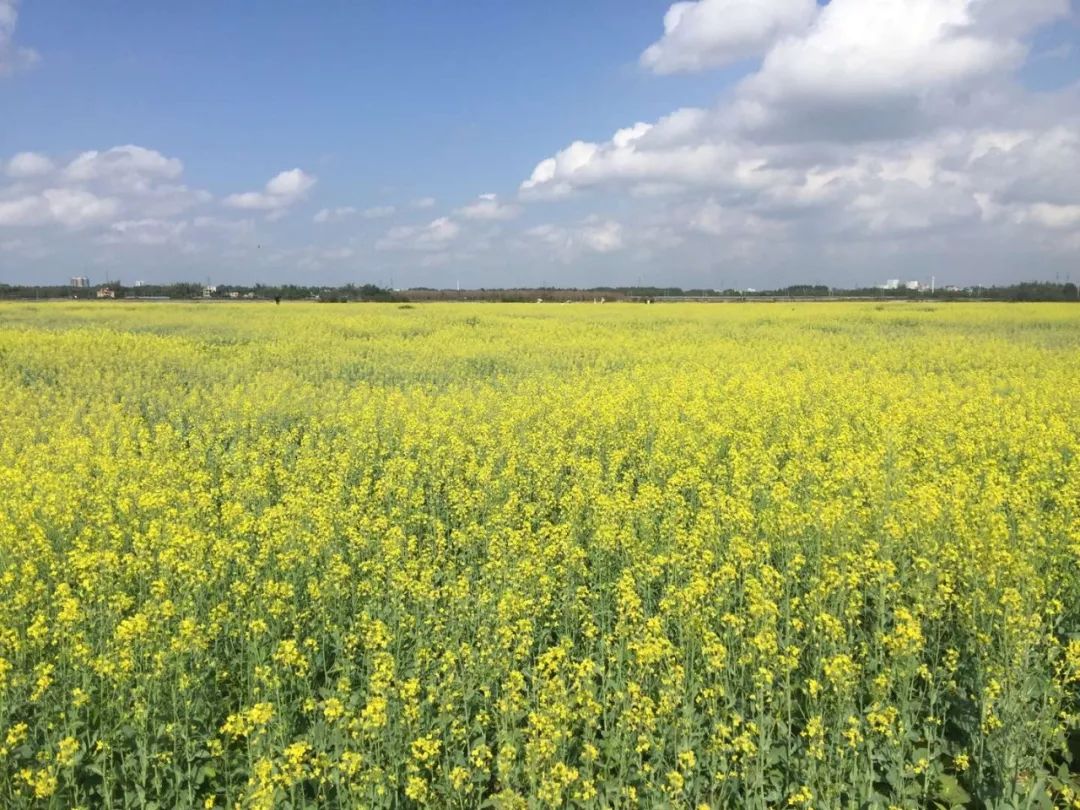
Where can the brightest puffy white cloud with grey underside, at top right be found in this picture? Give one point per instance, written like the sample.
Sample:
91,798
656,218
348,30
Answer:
885,69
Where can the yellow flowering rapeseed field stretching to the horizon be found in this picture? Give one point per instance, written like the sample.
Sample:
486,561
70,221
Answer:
538,556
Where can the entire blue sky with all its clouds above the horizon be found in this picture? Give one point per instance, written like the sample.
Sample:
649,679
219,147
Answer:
835,144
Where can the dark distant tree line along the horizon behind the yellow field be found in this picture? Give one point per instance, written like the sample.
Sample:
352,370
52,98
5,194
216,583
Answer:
1029,291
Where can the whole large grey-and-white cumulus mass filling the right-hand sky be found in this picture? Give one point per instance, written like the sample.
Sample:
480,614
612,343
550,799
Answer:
868,121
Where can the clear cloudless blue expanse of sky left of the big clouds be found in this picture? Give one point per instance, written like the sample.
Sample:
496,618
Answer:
418,99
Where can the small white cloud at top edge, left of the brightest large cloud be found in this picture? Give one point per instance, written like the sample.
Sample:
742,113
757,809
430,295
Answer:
713,33
